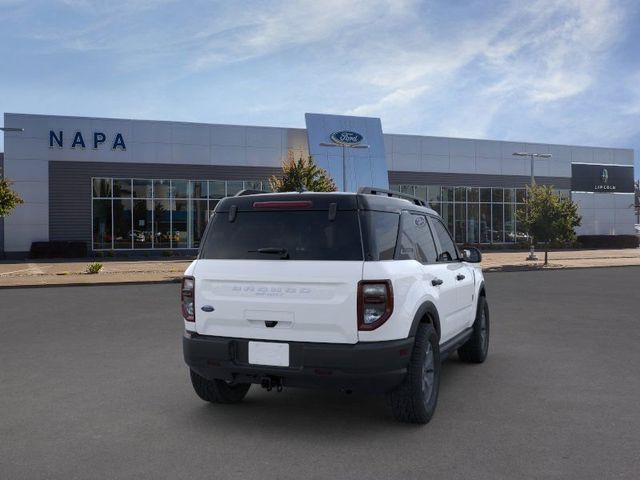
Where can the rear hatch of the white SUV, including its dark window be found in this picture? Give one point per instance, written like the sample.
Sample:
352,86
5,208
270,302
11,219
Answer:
281,267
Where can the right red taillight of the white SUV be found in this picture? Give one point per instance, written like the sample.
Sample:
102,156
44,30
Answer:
375,303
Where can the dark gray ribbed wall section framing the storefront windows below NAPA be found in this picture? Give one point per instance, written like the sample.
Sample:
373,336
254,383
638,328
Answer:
70,188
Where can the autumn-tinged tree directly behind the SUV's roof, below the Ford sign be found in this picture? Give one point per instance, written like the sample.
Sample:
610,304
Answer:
302,174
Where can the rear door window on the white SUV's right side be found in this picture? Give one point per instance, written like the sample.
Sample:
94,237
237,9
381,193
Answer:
416,242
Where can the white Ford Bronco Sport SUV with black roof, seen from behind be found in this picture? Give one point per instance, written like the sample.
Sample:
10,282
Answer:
363,292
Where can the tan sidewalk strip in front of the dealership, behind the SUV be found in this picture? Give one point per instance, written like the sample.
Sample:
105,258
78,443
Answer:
72,272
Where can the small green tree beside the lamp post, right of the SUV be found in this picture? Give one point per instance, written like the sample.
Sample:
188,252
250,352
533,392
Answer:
549,217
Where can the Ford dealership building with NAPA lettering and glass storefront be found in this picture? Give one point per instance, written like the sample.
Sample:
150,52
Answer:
131,185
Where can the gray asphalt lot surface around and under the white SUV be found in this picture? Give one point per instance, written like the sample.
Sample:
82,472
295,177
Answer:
92,385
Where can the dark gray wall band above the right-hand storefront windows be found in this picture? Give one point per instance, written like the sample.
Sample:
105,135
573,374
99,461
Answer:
474,180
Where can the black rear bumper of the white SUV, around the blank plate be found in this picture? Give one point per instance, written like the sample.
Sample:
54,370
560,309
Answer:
370,367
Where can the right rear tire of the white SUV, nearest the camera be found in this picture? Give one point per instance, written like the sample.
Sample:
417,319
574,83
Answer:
415,400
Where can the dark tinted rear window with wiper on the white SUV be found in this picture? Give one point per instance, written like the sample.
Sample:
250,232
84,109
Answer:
284,234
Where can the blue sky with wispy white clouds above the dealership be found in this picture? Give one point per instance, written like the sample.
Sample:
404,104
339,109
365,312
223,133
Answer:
540,71
